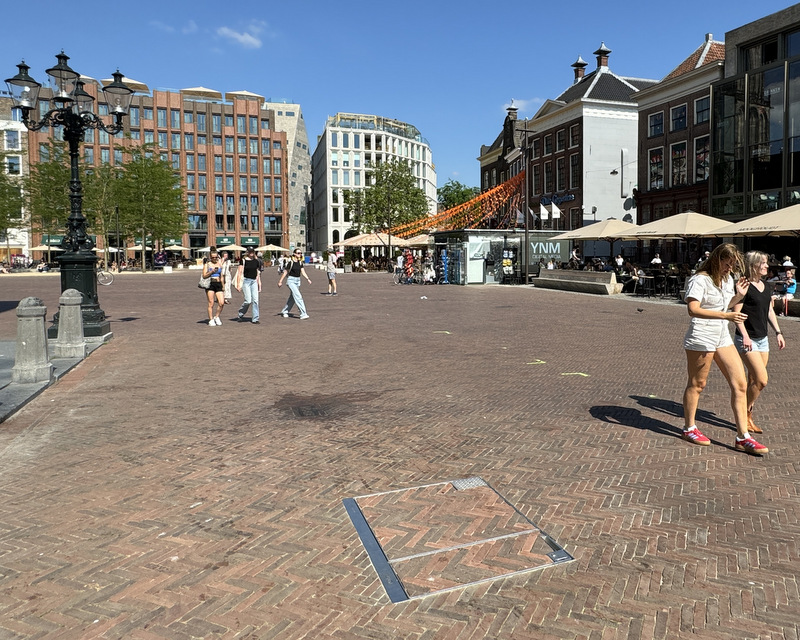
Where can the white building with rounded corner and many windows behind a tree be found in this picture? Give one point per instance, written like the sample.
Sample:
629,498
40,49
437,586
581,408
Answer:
350,143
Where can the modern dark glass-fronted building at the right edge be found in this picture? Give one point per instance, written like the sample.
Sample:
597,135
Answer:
756,119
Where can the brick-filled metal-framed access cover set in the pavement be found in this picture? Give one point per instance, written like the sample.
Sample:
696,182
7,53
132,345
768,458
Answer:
447,536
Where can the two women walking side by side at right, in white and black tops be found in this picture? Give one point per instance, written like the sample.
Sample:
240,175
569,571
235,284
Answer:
714,300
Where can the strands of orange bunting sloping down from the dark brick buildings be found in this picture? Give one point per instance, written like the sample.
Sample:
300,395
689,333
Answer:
501,203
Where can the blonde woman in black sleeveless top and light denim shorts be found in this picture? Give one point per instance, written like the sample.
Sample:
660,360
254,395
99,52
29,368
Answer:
751,335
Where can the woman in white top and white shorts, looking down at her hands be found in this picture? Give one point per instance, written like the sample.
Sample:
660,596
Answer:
710,293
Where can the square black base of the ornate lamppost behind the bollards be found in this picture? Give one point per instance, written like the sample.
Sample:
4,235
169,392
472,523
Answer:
79,271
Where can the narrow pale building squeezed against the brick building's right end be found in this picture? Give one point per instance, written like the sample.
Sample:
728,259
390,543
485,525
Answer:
289,119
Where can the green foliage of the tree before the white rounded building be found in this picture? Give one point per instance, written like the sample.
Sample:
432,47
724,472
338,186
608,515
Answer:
392,198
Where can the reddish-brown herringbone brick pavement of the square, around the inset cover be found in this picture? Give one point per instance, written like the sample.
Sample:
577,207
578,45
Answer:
187,481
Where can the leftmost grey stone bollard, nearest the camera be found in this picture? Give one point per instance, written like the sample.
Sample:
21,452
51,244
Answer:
31,363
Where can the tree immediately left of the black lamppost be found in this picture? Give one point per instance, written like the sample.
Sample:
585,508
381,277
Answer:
47,190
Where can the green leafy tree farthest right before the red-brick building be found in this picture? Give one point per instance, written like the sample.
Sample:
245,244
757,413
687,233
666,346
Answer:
150,197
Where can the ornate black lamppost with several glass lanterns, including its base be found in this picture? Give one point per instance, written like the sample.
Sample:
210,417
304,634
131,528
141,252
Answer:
73,112
